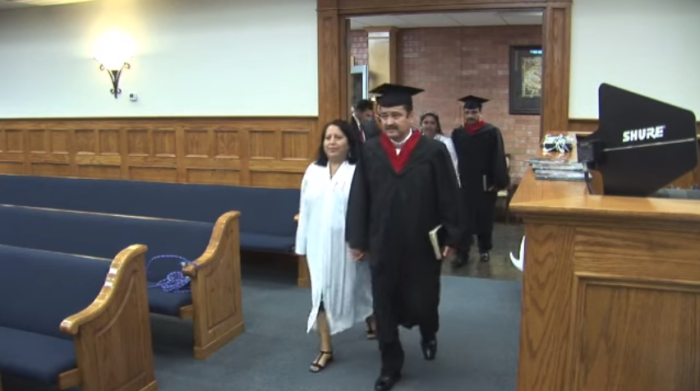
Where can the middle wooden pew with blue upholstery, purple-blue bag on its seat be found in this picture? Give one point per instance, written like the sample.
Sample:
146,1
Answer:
214,303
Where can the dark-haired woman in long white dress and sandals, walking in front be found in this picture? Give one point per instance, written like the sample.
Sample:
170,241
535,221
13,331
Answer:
341,293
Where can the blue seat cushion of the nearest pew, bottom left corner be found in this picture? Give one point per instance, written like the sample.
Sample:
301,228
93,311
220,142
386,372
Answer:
35,356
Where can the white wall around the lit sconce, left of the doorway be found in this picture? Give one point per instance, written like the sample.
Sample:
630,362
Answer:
193,58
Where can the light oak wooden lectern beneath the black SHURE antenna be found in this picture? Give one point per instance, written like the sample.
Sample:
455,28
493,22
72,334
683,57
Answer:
611,290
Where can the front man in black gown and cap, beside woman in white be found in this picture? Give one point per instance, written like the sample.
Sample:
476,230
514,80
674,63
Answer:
404,186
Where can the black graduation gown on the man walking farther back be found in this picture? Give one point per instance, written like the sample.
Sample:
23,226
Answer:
481,157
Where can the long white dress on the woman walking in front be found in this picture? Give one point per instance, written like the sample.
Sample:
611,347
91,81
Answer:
343,284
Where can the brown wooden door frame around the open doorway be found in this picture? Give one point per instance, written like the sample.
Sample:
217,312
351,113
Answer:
333,62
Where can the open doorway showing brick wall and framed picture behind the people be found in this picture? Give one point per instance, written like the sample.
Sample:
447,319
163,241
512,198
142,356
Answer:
492,54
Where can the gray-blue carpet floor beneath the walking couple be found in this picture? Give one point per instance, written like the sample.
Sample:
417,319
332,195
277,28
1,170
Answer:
478,345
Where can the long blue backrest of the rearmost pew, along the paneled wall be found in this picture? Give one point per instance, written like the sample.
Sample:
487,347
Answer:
263,210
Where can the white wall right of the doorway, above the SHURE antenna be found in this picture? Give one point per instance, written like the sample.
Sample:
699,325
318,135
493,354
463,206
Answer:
650,47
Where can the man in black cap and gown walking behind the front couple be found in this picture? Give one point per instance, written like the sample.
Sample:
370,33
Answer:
483,172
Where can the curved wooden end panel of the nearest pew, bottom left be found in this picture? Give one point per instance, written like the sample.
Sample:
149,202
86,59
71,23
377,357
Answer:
113,334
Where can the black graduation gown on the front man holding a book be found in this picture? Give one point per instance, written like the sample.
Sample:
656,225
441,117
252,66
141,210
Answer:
389,217
